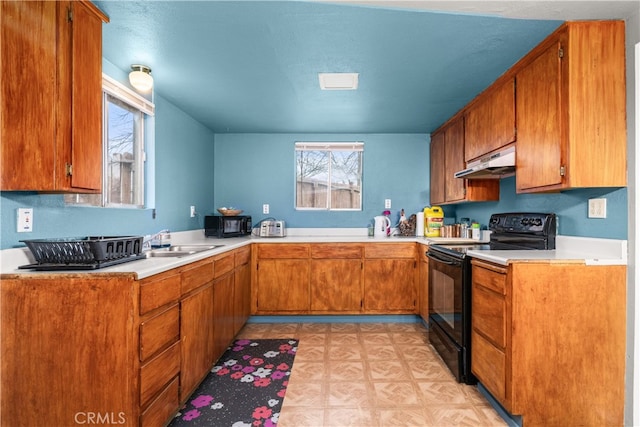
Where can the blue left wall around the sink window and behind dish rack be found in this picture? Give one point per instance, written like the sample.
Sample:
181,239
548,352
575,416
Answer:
184,177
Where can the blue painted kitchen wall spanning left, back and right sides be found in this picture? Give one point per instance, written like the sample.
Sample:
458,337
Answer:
196,167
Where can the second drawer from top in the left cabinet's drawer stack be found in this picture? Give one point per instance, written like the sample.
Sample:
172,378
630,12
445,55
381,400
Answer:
158,332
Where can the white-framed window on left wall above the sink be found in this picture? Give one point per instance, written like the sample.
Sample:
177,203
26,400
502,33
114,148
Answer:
123,149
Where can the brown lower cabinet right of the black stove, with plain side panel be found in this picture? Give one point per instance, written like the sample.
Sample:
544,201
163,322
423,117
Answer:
548,340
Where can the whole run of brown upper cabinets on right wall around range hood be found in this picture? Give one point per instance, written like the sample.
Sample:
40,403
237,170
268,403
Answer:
563,106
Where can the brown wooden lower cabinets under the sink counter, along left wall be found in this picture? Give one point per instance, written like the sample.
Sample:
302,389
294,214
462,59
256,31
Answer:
77,348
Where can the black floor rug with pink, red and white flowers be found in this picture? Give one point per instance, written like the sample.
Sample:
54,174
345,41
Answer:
245,388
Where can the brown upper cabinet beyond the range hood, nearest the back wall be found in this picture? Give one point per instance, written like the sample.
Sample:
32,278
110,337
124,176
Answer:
447,157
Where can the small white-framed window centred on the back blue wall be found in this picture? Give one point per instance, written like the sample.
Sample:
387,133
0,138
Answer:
329,175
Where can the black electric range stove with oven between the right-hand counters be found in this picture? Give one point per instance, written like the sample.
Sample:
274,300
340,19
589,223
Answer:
450,282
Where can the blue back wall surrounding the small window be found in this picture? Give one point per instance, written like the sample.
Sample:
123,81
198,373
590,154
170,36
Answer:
253,169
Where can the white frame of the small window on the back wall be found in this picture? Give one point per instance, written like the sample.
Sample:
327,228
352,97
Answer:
331,147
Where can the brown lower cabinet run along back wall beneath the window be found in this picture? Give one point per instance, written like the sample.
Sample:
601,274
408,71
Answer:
335,278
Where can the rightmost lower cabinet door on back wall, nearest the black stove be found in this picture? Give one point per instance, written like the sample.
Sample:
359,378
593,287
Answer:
390,285
